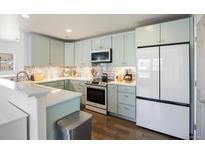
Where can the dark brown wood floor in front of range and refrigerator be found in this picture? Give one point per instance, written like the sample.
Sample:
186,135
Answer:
106,127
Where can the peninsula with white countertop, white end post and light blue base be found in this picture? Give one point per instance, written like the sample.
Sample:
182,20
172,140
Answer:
43,105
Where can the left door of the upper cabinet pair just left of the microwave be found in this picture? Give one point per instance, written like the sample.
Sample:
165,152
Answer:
78,53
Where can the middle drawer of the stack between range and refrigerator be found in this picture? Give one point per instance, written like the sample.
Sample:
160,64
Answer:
126,98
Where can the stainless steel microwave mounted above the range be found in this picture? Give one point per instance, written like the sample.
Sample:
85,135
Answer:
101,56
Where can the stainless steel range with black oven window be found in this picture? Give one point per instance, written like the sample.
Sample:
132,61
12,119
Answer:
96,96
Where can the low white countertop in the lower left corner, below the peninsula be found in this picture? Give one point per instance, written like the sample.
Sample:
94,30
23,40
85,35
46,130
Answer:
9,113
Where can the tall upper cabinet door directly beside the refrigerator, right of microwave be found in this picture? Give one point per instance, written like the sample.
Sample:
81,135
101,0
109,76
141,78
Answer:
129,49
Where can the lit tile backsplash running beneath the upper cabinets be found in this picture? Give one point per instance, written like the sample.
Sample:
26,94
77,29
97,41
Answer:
55,71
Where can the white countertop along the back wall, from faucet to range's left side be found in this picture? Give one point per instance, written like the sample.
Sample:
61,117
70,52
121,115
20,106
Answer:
62,78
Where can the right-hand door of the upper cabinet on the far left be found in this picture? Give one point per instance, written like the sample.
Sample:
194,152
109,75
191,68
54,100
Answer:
57,52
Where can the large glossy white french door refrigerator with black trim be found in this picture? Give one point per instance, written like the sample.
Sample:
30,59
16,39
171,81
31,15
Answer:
163,89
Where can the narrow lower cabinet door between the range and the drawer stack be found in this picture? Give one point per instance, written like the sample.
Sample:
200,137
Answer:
112,98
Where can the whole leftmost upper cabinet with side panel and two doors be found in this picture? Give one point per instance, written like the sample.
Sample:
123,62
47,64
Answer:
44,51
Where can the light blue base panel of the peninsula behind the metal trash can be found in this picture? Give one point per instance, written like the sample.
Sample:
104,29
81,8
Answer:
59,111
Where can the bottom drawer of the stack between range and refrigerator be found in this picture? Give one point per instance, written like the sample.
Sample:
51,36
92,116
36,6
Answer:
126,110
